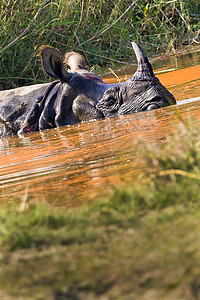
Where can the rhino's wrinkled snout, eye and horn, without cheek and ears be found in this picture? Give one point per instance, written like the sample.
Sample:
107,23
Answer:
142,92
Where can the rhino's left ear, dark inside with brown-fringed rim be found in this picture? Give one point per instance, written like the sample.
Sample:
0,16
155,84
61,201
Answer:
52,63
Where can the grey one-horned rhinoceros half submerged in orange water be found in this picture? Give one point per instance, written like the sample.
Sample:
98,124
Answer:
78,95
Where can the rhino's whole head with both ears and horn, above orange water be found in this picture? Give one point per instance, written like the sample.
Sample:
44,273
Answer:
96,99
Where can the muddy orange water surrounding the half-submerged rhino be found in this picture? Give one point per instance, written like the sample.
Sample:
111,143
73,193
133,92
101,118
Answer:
80,162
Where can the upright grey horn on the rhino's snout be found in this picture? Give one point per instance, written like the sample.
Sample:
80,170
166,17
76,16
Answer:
144,70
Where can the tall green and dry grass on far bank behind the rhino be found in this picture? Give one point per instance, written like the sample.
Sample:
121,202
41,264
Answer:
101,30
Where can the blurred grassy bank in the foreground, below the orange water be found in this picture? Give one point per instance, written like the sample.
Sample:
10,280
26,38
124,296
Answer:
140,243
